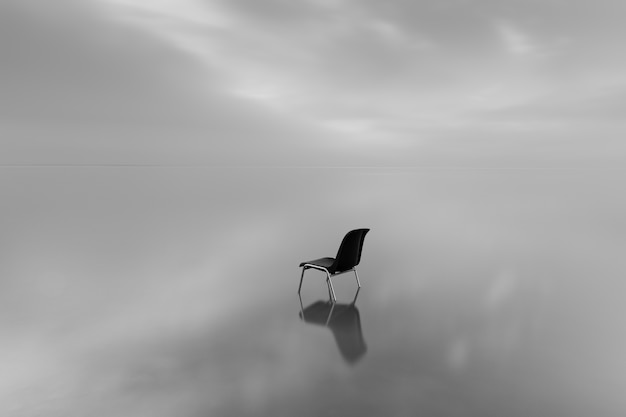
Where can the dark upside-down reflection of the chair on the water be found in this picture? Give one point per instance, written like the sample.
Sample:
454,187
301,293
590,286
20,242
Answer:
344,321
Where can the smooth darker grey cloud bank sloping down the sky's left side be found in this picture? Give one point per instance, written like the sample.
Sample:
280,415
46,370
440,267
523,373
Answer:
81,87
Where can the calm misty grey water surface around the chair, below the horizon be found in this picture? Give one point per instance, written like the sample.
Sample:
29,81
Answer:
172,292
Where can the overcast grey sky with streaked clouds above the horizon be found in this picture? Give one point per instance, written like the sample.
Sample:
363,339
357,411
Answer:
314,82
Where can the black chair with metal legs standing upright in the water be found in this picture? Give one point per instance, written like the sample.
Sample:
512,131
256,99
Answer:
348,257
